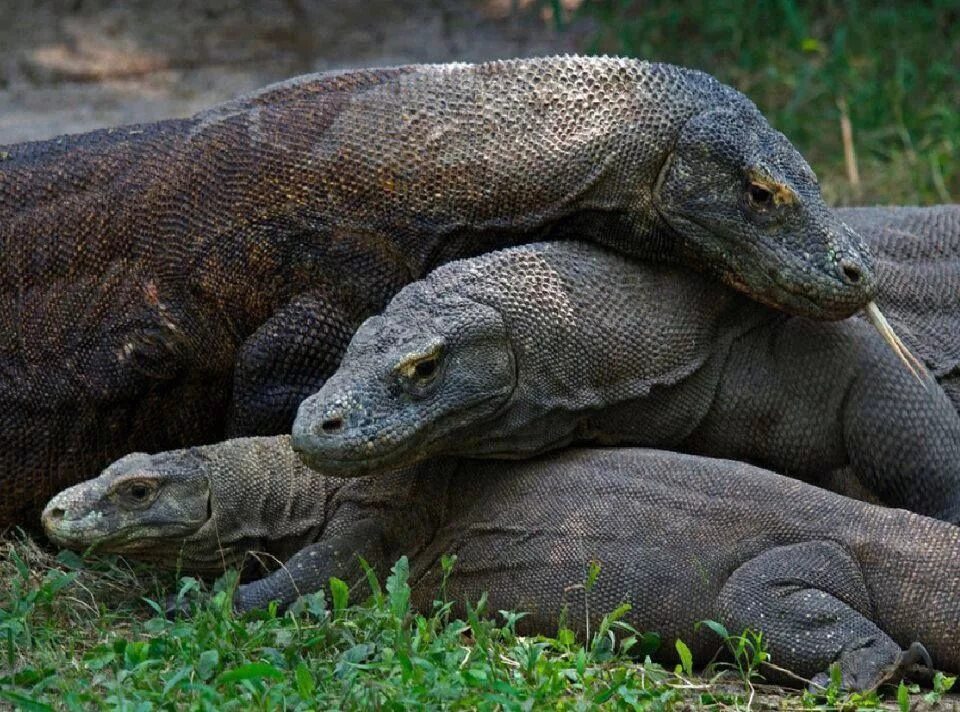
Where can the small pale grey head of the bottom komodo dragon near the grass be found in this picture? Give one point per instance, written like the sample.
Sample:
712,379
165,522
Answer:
146,505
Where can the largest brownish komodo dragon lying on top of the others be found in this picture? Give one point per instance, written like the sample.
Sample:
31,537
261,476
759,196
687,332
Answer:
171,283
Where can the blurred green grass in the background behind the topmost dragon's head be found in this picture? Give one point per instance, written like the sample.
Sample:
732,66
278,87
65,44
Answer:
890,71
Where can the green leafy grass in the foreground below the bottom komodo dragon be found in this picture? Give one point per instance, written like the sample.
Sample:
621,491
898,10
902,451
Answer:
82,634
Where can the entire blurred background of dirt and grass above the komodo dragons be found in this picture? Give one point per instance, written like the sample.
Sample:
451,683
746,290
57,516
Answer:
869,91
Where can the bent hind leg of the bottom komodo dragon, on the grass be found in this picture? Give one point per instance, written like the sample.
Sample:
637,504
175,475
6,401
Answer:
812,605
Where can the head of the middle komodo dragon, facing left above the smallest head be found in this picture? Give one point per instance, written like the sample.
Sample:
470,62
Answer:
412,380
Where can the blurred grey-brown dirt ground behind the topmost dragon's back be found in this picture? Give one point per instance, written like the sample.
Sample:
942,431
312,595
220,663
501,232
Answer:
74,65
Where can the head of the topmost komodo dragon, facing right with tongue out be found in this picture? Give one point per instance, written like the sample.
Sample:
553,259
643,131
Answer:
749,207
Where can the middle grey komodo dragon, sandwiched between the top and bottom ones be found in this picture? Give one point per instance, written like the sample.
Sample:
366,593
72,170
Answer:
520,351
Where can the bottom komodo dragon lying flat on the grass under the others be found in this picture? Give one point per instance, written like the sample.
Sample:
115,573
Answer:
680,538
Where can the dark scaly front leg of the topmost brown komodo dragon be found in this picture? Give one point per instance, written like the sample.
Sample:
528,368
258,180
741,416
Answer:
288,359
